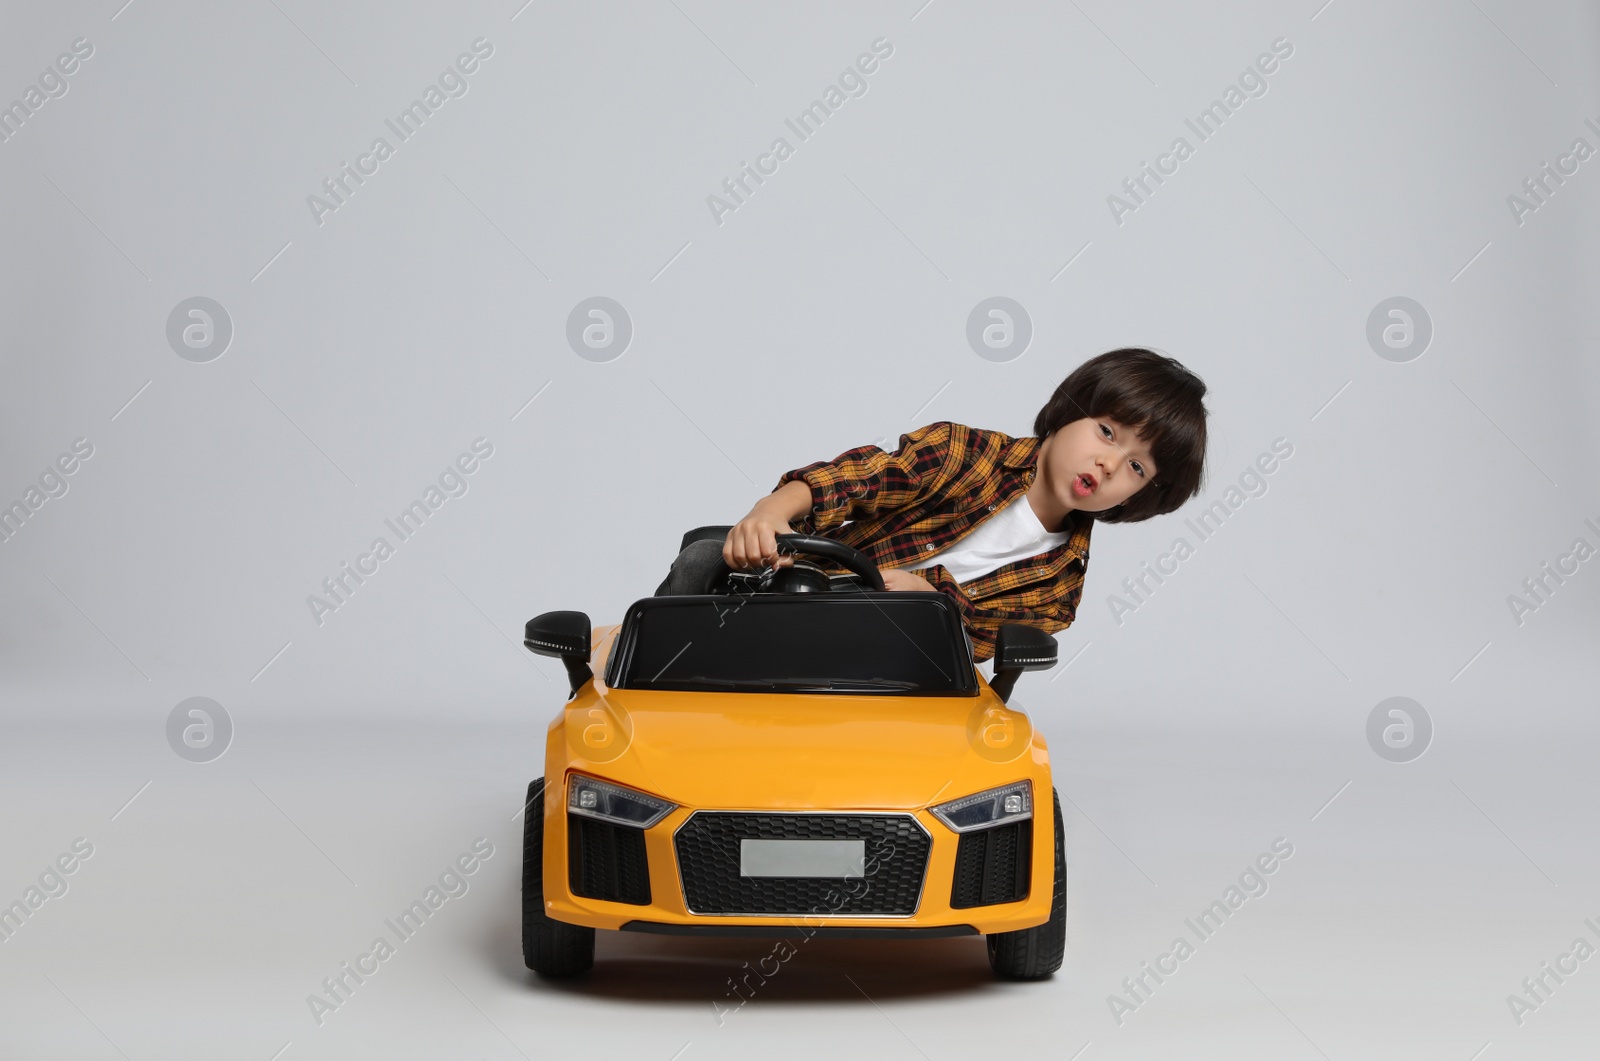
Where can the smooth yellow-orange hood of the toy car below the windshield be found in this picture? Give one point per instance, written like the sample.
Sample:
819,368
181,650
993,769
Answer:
801,750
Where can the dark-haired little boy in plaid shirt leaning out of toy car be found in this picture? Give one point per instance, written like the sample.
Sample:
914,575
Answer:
999,524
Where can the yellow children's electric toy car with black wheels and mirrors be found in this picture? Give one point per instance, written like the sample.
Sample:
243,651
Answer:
798,756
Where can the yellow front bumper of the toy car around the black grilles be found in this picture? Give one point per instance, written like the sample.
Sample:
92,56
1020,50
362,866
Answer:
676,878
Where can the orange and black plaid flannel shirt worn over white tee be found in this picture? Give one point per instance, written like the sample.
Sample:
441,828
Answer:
942,484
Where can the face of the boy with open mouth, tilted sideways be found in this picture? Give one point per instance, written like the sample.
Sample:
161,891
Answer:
1095,463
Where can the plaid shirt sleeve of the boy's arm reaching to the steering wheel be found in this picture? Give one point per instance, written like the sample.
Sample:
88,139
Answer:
868,481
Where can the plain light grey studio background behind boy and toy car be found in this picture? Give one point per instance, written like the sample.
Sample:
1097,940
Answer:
828,311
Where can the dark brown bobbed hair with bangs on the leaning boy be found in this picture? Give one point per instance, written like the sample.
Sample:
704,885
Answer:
1161,401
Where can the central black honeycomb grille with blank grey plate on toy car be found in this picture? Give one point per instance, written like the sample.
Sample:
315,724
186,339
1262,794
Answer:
897,859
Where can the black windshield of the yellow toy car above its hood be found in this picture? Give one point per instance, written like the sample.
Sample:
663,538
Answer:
866,643
